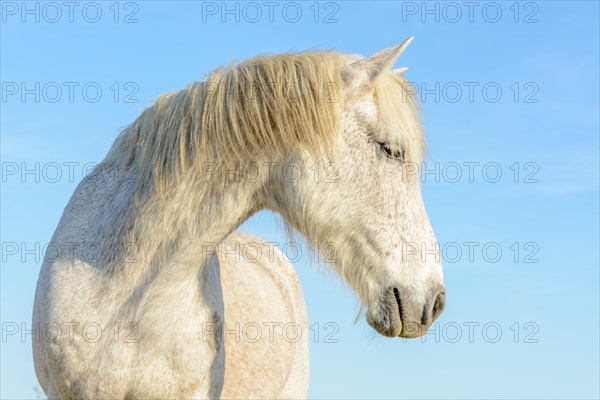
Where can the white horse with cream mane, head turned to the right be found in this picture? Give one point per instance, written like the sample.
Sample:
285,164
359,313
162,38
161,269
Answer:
320,137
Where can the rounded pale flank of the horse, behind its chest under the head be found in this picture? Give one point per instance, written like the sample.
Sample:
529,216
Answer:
266,349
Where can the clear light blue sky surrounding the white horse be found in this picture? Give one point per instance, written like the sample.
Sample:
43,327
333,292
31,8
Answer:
516,91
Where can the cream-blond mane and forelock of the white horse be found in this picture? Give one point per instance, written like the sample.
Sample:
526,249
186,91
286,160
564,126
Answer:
264,105
